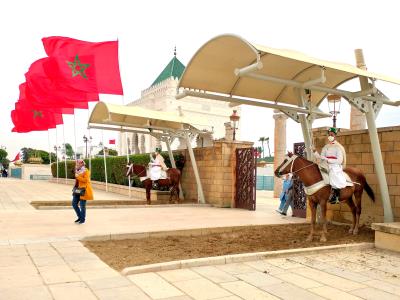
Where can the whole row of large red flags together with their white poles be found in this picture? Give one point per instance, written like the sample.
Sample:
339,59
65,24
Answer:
74,73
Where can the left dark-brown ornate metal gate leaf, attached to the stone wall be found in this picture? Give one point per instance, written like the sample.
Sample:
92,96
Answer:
246,174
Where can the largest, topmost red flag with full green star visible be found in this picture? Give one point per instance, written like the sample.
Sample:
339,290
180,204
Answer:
75,62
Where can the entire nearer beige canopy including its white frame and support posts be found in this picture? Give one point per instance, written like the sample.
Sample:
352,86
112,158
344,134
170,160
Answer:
229,68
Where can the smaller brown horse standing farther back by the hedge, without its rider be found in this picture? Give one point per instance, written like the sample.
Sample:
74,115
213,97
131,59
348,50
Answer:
172,182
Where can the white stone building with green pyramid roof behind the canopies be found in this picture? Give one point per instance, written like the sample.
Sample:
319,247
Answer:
161,96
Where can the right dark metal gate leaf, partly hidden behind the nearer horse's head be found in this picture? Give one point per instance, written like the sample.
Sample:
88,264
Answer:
299,196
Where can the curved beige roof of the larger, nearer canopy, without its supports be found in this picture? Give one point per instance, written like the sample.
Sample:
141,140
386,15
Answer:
212,69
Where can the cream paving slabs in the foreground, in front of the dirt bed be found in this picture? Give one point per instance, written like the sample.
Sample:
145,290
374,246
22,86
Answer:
67,270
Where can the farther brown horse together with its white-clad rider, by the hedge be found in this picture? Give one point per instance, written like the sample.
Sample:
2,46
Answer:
159,176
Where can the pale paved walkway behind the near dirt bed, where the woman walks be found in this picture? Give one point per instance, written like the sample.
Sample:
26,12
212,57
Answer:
21,224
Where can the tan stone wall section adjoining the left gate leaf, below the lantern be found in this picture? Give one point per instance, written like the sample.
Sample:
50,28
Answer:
217,167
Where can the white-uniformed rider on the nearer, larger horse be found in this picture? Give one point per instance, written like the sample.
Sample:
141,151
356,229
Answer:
334,154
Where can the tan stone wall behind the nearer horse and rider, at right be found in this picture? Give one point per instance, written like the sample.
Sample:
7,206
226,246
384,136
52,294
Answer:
359,155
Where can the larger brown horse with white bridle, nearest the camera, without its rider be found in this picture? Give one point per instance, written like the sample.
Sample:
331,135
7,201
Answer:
309,173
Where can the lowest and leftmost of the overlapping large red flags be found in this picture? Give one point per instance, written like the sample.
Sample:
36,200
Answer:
26,119
